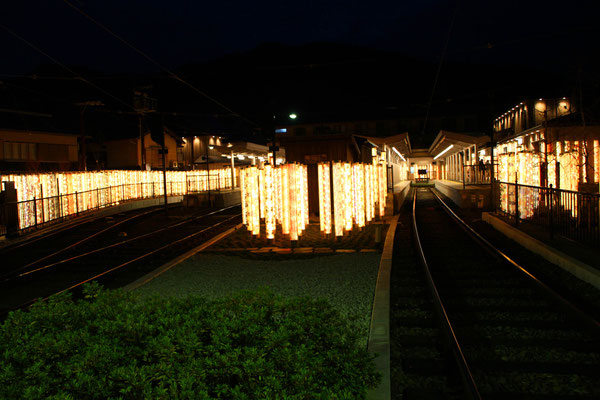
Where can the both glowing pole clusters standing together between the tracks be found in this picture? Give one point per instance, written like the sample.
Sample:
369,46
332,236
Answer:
280,195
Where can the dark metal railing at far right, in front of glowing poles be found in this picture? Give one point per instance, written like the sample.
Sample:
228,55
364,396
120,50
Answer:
575,215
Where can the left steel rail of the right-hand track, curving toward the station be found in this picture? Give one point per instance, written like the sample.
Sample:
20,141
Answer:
468,382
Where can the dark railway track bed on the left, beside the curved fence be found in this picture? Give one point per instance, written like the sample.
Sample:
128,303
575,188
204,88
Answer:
113,261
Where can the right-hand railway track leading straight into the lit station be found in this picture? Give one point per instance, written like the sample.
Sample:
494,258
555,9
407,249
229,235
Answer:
492,330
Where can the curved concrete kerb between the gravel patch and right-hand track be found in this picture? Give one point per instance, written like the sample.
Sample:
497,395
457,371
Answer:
379,330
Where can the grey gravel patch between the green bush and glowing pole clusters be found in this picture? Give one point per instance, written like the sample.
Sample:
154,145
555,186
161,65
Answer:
347,281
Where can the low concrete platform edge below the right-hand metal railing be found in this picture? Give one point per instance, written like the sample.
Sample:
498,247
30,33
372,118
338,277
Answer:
579,269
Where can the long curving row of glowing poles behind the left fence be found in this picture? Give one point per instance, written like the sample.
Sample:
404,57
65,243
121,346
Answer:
66,194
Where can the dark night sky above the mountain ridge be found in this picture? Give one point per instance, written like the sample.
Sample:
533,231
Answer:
550,34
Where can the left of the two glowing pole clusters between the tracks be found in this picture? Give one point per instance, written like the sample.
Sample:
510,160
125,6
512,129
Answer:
277,195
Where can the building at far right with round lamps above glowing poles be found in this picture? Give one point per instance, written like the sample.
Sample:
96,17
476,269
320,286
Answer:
546,142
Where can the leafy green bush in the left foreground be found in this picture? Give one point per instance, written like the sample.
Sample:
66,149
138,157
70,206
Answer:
111,344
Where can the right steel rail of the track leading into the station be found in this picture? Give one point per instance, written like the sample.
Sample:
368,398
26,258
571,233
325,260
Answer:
570,309
